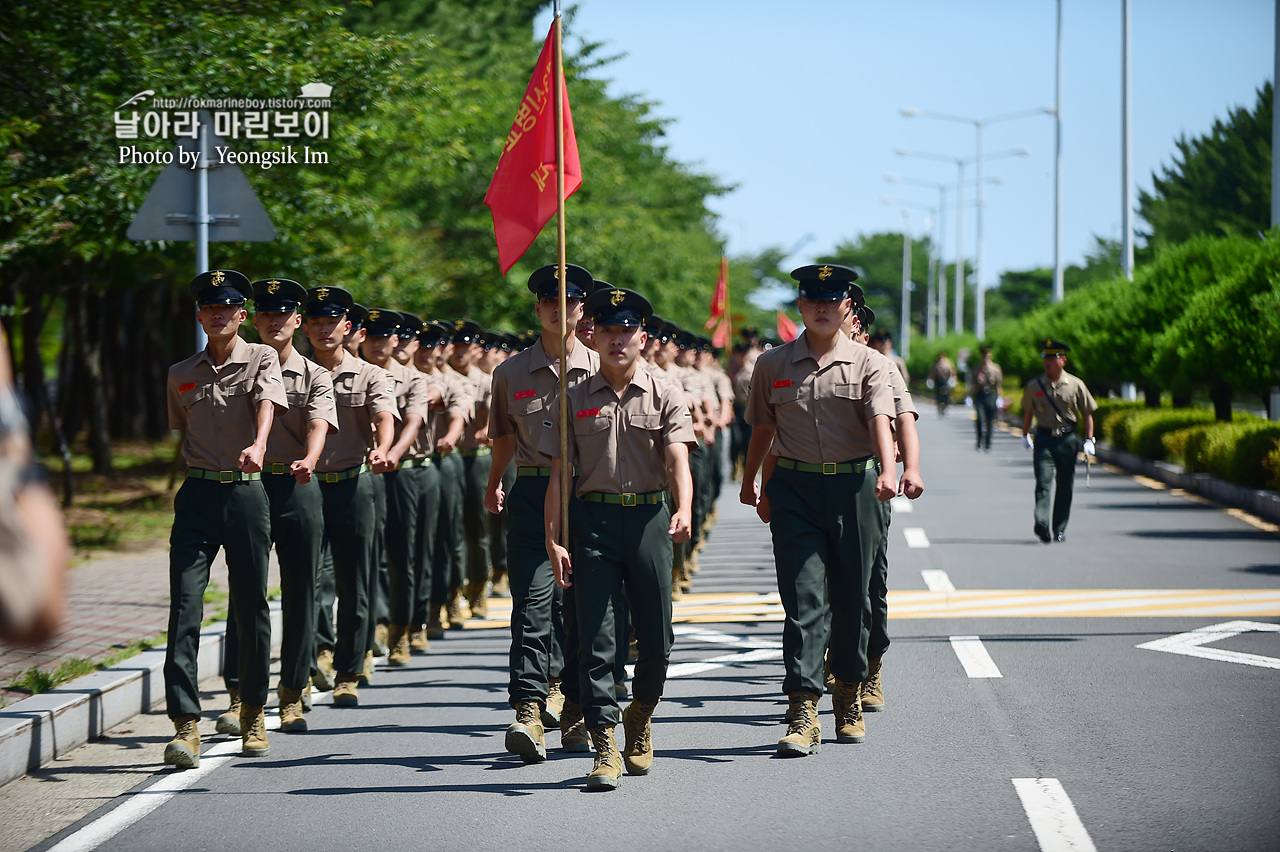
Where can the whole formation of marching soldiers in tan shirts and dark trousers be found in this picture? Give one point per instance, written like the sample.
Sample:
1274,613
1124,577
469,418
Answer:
410,469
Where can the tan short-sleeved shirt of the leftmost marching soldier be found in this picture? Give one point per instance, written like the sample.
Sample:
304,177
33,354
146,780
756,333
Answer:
218,406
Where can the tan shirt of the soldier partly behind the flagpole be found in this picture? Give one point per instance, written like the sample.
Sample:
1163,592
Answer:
527,397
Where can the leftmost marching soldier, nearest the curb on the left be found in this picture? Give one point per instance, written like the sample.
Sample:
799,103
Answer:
226,398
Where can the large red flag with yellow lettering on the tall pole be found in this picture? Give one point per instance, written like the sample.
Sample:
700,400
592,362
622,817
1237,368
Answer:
523,193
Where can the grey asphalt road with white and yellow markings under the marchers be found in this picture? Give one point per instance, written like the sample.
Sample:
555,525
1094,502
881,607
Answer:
1084,741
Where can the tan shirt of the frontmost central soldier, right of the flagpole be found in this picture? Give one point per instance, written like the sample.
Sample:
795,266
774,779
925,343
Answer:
619,446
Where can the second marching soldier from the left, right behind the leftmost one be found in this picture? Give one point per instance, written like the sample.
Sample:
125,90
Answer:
298,530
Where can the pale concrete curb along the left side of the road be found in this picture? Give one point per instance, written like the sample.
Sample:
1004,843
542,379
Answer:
44,727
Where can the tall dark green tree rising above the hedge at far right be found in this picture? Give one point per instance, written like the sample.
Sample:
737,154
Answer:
1219,185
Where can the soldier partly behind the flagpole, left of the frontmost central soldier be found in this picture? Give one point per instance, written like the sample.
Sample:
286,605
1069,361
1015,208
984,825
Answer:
525,404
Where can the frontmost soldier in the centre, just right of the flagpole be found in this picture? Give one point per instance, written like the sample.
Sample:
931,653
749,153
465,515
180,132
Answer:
630,438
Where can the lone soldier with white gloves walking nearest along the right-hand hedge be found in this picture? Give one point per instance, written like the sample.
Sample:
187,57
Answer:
1063,410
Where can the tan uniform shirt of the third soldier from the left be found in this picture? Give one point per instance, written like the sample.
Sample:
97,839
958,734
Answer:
362,392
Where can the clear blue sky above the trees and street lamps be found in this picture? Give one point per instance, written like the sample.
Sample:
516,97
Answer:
798,104
